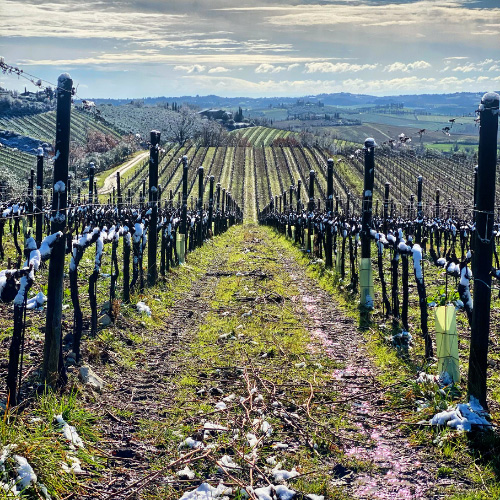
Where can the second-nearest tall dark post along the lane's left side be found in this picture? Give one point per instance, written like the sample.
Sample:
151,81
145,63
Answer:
153,206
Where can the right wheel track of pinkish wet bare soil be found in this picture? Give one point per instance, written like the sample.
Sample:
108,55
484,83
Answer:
400,470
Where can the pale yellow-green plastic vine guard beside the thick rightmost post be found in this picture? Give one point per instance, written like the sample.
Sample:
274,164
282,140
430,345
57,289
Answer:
447,341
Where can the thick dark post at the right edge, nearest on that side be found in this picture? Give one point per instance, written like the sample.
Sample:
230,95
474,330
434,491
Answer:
483,246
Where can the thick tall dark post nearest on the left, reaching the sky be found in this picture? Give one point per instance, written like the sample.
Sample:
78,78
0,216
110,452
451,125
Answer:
52,353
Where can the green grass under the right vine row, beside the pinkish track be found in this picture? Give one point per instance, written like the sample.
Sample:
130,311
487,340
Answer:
474,457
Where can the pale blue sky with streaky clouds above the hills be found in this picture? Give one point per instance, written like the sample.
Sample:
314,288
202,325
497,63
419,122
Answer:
133,49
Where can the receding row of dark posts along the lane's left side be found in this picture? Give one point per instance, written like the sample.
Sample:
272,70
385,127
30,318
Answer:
52,358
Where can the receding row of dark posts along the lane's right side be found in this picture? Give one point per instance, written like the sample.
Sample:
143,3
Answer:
482,244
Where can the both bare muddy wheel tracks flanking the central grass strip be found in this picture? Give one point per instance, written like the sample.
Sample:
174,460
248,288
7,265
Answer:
399,469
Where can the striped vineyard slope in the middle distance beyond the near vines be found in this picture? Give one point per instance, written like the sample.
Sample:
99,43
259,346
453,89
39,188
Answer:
277,168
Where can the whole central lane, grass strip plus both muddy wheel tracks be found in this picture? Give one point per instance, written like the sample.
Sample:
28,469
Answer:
248,311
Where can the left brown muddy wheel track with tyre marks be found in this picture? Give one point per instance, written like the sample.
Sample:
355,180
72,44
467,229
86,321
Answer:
142,393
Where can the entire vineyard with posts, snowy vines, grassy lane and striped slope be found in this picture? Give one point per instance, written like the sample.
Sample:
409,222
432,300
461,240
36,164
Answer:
159,343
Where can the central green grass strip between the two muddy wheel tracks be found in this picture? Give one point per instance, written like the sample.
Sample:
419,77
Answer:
238,351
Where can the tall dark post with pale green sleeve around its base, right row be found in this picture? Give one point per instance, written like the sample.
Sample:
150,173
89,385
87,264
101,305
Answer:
366,279
